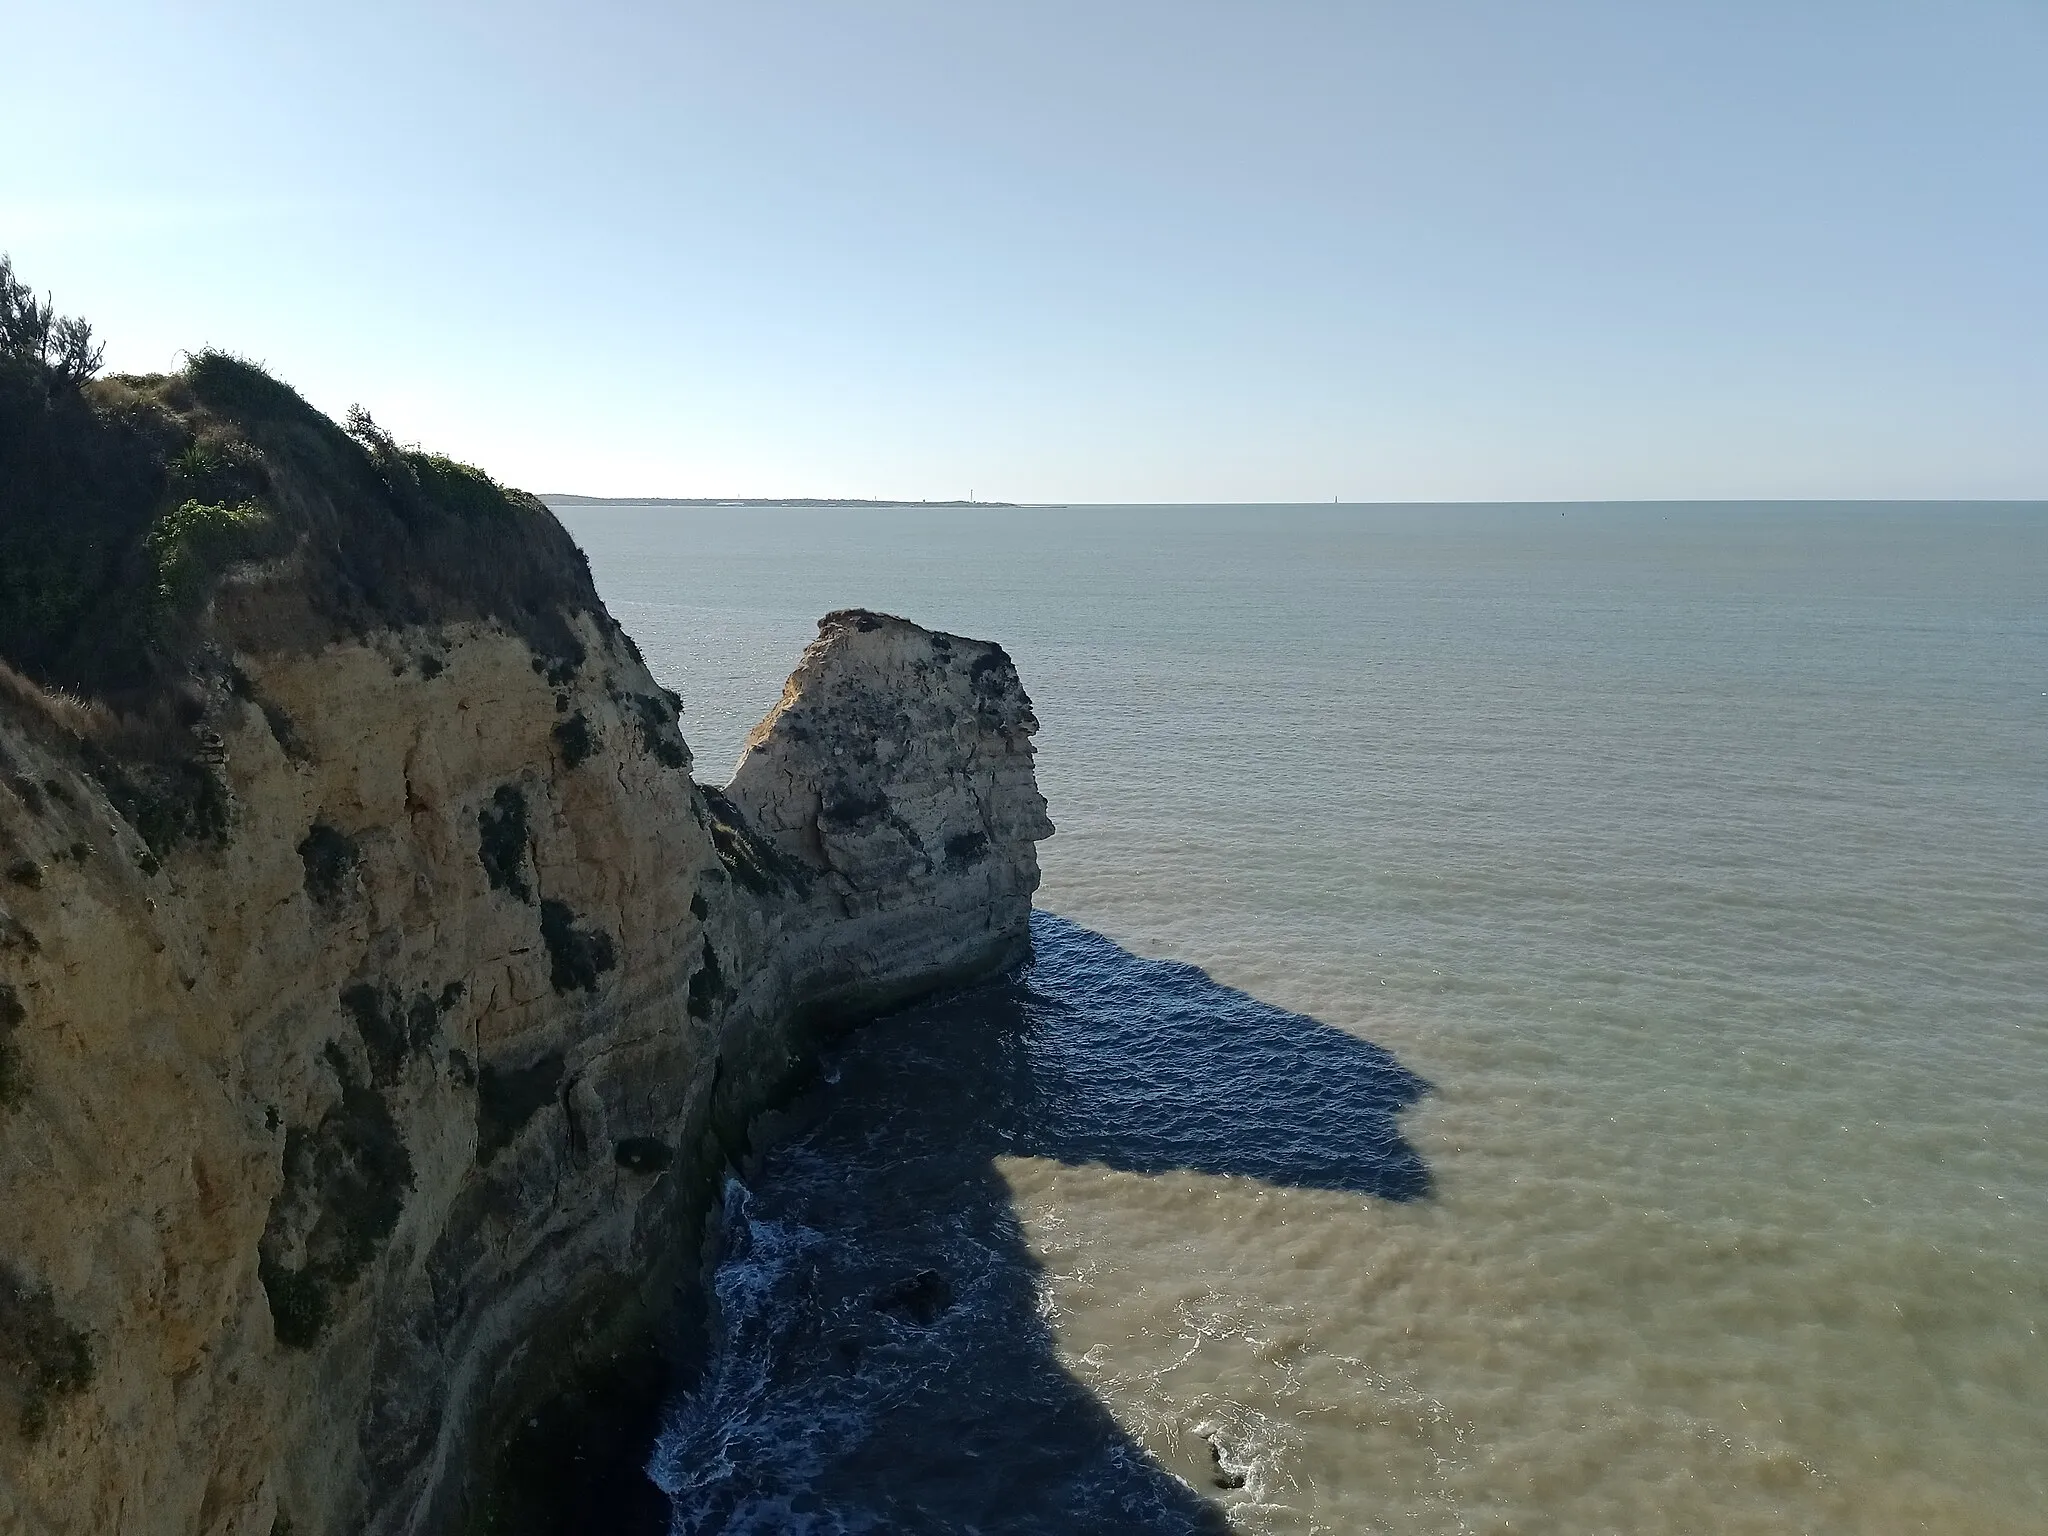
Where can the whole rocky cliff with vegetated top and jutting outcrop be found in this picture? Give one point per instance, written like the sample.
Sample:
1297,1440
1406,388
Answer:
380,992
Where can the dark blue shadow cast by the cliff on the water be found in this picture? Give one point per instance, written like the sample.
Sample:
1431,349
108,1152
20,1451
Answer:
882,1359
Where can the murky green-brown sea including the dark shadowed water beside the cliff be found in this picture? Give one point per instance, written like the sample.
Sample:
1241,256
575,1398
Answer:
1613,1095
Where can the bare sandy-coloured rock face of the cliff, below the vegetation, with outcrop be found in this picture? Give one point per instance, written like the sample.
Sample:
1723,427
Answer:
325,1142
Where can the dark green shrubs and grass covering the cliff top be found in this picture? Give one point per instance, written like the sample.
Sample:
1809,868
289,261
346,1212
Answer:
146,515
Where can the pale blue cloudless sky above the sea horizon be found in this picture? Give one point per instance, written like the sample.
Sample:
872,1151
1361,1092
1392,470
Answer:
1095,251
